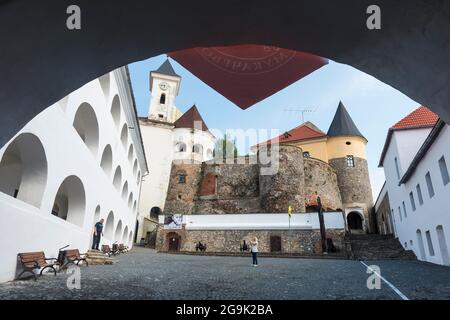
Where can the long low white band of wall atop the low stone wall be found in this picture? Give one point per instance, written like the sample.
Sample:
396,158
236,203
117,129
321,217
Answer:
261,221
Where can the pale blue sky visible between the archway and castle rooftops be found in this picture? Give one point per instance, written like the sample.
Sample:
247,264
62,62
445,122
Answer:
373,105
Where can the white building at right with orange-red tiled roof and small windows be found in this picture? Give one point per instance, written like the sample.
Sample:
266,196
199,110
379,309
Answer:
416,160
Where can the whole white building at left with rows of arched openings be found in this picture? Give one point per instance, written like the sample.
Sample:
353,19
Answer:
79,160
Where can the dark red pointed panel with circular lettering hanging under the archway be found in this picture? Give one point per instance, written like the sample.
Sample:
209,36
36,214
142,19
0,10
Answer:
247,74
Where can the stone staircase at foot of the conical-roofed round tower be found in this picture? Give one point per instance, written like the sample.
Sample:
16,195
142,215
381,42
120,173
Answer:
376,247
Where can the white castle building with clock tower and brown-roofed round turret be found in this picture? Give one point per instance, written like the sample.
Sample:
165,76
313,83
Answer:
168,135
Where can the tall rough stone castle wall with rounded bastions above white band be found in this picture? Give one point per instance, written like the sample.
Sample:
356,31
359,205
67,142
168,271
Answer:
240,188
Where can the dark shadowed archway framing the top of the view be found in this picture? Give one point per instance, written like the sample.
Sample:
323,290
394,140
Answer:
41,61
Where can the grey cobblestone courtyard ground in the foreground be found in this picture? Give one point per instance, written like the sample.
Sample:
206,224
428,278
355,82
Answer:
145,274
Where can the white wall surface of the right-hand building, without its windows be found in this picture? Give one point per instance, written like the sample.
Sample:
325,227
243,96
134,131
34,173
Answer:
435,211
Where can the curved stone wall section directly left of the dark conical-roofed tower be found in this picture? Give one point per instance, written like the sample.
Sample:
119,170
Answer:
321,180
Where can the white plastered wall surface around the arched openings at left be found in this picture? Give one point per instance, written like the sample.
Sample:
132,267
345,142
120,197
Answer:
27,228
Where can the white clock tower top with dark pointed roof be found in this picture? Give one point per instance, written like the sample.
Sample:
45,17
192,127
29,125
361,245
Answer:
164,87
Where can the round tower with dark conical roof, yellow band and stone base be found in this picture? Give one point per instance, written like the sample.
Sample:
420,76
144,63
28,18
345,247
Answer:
346,148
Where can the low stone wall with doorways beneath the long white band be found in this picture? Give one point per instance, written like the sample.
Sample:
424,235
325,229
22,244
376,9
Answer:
305,242
